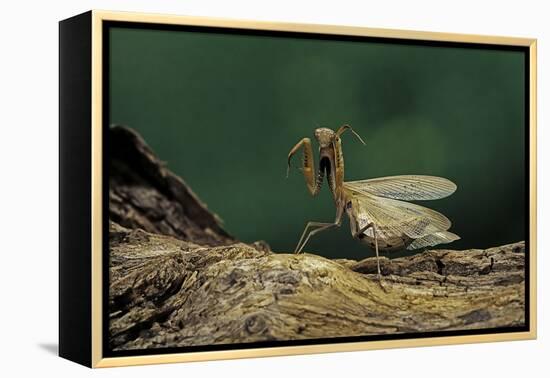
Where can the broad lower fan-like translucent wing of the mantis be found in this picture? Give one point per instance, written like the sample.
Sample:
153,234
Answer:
394,218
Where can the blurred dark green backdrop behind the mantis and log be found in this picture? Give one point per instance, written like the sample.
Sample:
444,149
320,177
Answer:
224,110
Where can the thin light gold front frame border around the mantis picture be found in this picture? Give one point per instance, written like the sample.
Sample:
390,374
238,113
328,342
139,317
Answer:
97,19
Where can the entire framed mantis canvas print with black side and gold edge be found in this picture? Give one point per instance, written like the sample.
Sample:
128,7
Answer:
186,230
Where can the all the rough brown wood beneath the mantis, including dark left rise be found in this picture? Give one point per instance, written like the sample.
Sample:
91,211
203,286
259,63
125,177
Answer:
186,282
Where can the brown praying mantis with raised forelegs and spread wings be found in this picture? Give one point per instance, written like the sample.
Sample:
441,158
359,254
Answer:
377,209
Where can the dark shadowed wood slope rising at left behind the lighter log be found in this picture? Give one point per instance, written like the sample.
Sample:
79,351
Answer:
144,194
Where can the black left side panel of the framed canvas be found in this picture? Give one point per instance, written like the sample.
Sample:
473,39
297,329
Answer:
75,90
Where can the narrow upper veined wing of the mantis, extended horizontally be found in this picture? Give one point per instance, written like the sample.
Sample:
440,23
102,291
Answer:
406,187
